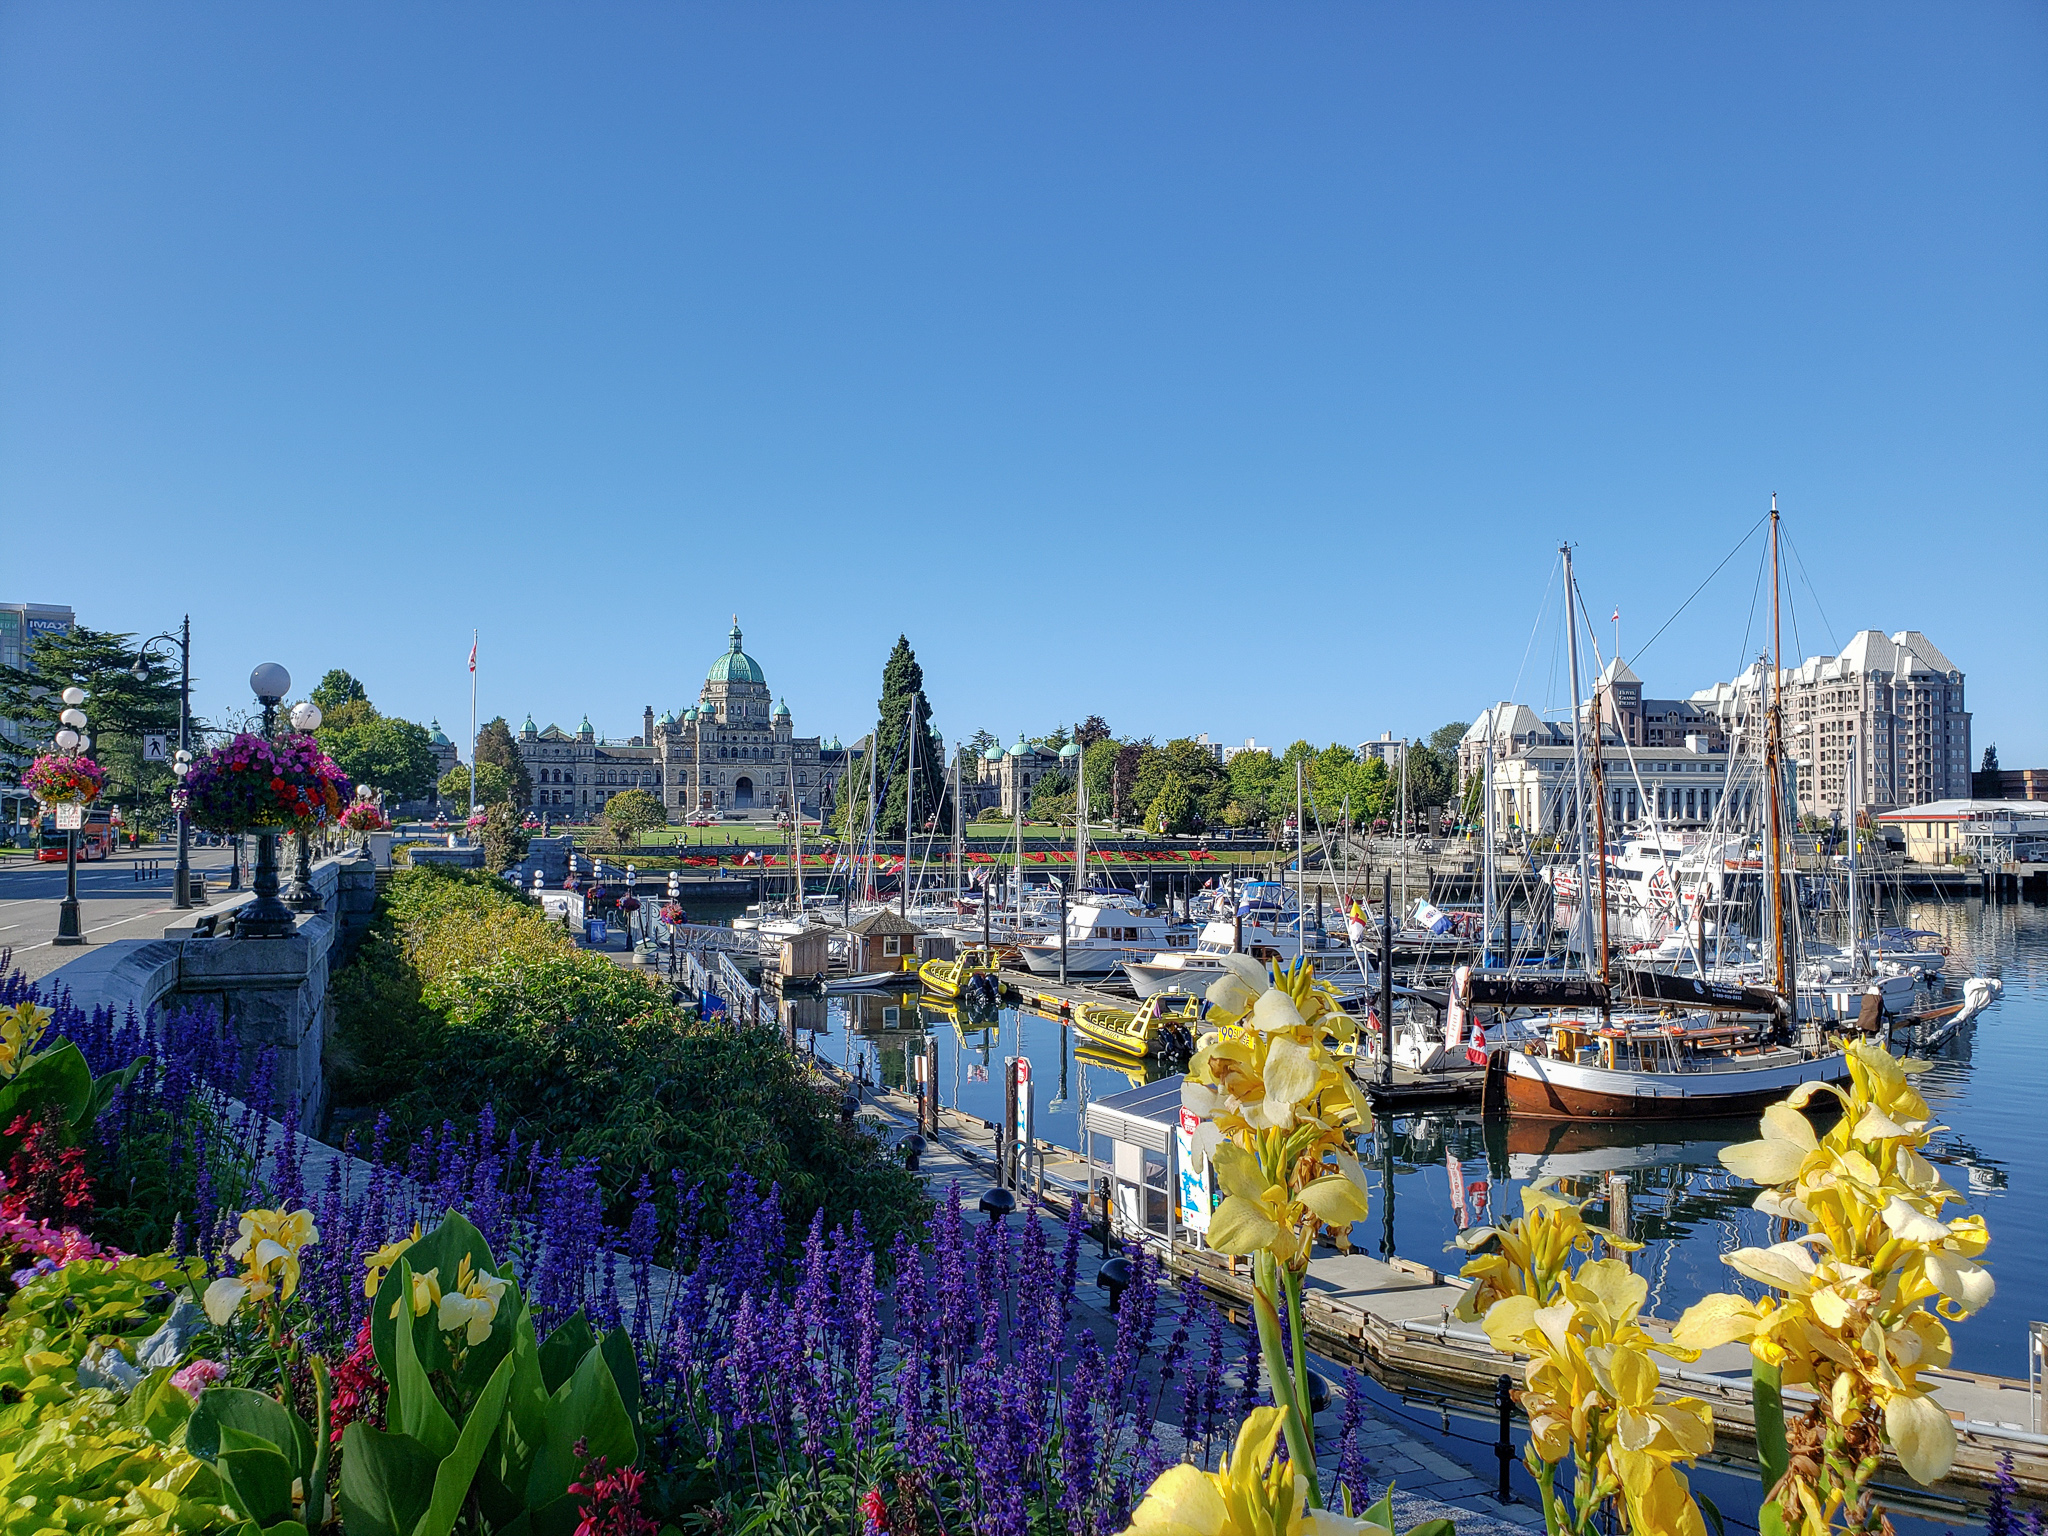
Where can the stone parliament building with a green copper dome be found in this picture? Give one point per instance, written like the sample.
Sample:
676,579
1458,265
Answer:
730,753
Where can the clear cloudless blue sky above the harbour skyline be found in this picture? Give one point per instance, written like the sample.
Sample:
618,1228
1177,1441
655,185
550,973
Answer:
1222,370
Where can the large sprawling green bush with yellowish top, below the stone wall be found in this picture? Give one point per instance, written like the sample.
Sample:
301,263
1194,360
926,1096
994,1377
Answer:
464,998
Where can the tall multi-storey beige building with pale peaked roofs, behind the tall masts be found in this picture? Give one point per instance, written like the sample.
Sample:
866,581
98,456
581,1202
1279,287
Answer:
1895,701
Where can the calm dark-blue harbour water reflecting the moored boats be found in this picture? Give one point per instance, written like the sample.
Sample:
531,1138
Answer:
1437,1170
